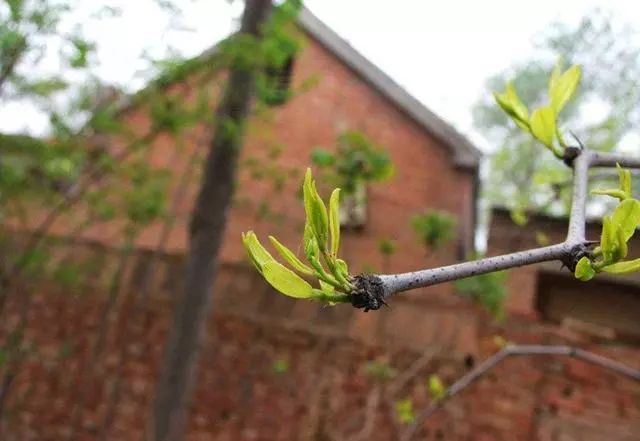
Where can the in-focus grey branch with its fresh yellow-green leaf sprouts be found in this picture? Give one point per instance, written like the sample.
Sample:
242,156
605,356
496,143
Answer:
582,256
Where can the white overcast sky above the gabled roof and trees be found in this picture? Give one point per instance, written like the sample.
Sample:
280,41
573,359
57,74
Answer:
440,51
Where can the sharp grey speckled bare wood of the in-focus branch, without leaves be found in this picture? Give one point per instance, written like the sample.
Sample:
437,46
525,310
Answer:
568,252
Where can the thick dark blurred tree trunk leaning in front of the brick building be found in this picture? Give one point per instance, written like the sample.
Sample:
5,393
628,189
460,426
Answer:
178,372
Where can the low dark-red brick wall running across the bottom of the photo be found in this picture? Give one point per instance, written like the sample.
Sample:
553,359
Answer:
276,369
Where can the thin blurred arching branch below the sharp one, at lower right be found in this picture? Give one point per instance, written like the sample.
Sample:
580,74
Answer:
519,350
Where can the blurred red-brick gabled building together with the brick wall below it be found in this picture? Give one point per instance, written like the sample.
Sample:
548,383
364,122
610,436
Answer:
276,369
